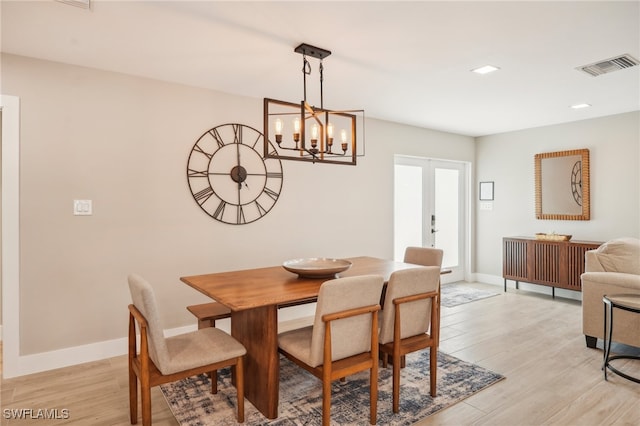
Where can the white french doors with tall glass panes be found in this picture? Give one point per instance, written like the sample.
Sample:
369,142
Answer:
430,209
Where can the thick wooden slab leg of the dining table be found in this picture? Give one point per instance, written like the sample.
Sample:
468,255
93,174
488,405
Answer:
257,330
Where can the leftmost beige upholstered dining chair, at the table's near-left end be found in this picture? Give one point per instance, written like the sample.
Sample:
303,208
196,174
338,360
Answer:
163,360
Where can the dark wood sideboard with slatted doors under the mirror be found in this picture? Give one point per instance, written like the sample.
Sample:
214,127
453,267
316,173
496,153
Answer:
550,263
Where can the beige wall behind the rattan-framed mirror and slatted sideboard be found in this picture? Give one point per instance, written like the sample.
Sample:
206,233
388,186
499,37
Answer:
508,159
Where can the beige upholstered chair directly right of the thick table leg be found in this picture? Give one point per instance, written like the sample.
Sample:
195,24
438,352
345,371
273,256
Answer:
343,339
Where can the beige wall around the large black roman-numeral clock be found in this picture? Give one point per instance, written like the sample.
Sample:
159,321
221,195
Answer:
123,142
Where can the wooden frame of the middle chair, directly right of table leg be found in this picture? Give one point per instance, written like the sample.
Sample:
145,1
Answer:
333,370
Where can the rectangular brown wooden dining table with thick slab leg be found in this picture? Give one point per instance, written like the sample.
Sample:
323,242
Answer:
253,296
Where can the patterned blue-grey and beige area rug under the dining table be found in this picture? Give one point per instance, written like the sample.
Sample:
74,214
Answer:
192,403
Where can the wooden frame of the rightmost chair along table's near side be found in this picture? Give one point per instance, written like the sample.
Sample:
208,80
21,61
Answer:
399,347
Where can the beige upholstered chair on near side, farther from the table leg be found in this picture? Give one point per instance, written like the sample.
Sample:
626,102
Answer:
409,321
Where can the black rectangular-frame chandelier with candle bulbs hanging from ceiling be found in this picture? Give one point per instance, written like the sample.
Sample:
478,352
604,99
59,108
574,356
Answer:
313,130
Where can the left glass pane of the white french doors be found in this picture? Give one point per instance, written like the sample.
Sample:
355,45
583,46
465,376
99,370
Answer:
407,208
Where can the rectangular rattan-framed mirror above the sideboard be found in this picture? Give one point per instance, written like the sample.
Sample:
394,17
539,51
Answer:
562,185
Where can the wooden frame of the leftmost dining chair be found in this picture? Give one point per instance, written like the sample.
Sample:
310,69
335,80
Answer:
142,369
